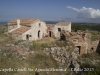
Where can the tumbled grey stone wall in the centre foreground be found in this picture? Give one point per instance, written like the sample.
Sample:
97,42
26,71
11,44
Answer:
63,55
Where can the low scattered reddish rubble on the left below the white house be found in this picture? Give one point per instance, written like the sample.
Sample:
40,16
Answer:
21,48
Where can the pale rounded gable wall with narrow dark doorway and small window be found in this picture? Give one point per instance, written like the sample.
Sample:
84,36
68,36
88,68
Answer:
36,28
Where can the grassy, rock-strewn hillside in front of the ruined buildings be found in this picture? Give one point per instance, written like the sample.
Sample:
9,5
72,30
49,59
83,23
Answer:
39,57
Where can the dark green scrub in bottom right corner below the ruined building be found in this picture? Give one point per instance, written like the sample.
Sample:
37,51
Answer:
93,67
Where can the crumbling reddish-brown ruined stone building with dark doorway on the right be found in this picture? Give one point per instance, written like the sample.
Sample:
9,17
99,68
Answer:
82,40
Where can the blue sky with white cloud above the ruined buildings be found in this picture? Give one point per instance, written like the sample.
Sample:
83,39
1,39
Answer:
51,10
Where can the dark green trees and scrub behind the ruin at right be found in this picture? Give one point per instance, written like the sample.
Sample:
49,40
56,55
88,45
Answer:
94,29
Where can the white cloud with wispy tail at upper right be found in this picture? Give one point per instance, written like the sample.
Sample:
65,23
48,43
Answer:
86,12
